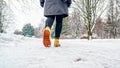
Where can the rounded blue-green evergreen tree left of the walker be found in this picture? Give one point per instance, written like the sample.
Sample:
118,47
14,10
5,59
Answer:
28,30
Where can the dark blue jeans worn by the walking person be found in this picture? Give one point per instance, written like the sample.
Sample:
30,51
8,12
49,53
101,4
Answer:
58,27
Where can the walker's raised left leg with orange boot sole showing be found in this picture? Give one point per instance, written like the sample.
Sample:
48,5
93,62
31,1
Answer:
47,31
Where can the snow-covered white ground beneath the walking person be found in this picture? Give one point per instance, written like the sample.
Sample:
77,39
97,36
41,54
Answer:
21,52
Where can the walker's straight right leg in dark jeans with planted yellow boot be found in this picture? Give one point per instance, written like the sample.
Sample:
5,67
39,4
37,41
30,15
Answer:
58,29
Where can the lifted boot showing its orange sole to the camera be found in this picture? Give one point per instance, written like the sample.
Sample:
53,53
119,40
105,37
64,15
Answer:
47,37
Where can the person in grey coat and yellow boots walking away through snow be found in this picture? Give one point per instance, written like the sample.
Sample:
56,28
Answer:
54,9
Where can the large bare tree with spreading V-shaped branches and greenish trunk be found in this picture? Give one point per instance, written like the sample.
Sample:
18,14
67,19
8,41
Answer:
90,11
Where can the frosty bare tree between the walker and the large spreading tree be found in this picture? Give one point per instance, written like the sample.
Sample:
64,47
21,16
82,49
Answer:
76,26
